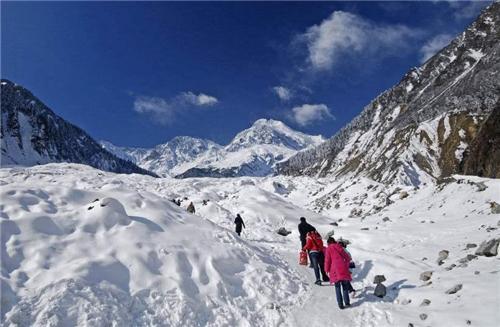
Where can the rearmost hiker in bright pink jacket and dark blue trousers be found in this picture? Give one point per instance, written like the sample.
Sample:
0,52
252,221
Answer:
337,265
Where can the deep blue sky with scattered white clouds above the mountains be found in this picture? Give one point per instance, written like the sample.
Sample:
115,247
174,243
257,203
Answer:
140,73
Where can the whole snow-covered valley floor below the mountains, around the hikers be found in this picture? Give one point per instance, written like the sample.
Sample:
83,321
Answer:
83,247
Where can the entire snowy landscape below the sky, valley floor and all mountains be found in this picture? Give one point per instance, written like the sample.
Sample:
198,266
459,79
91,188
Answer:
92,235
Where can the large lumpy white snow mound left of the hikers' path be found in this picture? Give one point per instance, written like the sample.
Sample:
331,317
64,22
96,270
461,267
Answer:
83,247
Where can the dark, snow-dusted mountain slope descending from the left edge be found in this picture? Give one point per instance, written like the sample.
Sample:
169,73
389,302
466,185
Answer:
32,134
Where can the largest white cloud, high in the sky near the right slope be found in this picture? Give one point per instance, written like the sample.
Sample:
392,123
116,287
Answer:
345,34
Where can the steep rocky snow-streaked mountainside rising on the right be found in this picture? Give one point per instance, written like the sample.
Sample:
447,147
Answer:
419,129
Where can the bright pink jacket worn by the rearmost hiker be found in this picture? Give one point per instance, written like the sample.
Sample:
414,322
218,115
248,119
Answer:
337,263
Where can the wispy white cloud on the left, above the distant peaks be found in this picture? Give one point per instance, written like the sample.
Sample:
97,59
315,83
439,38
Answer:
165,111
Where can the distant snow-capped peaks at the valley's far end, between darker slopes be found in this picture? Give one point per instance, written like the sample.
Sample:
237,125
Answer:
252,152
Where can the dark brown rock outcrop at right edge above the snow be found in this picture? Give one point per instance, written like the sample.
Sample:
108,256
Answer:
482,158
